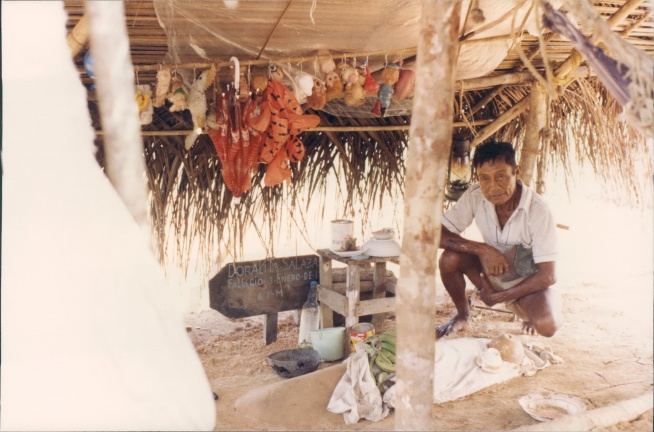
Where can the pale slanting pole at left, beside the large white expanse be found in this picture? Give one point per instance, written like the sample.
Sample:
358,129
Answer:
118,112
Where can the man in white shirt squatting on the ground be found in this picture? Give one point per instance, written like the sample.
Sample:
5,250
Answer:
515,264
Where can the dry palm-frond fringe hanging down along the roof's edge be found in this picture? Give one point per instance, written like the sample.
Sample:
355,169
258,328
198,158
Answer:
197,220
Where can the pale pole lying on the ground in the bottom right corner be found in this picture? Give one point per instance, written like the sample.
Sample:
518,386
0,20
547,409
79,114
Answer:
597,419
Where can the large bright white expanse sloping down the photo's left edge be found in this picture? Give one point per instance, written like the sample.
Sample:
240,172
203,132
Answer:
91,339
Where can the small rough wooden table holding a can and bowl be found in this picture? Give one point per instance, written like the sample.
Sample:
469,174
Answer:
349,305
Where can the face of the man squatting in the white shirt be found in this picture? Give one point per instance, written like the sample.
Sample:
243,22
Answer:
497,180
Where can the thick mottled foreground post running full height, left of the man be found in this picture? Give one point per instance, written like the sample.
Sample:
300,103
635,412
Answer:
429,151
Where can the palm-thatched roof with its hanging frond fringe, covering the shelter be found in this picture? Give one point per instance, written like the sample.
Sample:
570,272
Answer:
364,154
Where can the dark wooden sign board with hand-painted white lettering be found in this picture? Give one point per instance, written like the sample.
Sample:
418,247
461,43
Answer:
263,287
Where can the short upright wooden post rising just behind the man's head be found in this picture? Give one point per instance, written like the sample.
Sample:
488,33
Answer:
536,120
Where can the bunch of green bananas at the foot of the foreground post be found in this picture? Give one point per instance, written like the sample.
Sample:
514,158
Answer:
381,353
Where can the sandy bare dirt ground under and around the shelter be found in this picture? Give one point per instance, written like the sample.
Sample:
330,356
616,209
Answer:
606,343
